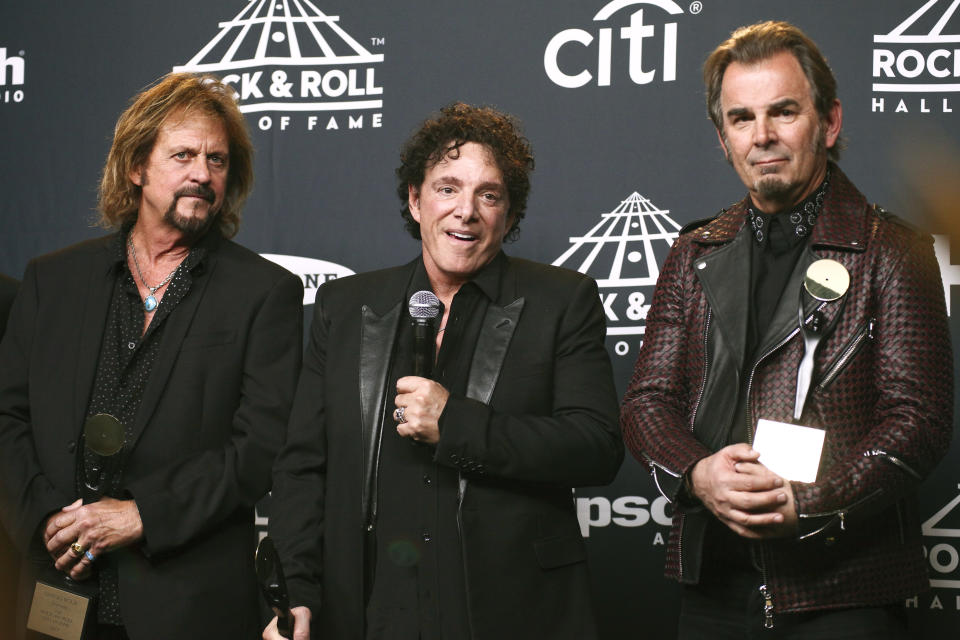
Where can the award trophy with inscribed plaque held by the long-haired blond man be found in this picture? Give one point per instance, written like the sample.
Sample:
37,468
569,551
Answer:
61,606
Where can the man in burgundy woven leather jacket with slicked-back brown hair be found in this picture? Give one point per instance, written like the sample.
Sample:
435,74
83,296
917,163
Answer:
725,345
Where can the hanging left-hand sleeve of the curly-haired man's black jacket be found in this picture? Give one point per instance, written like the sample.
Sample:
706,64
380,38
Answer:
299,475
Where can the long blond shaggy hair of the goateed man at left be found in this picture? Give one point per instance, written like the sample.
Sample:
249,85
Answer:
175,95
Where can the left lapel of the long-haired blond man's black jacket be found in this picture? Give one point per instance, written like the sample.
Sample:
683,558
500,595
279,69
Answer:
96,303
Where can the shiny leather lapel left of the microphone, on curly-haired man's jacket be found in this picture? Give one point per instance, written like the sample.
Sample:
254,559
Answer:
378,335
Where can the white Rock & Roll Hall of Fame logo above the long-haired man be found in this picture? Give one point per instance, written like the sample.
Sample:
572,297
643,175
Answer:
292,59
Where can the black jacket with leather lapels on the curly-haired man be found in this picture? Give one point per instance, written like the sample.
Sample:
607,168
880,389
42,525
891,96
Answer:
539,417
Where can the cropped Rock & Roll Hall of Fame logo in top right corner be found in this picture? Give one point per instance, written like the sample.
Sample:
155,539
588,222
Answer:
916,67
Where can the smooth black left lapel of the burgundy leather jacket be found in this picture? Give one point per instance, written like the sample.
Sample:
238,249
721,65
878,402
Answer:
725,277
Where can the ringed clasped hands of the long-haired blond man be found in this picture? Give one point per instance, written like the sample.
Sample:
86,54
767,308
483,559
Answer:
97,527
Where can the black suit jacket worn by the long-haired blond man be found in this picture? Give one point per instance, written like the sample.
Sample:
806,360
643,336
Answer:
211,419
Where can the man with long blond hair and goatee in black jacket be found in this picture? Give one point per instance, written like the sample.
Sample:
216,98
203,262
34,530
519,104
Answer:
187,347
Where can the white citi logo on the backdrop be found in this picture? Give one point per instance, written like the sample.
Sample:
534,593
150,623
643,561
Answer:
572,60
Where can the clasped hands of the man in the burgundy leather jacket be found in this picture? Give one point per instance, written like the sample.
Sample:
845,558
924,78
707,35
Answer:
743,494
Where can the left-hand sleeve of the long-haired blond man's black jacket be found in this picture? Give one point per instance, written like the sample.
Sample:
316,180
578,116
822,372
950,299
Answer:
26,495
